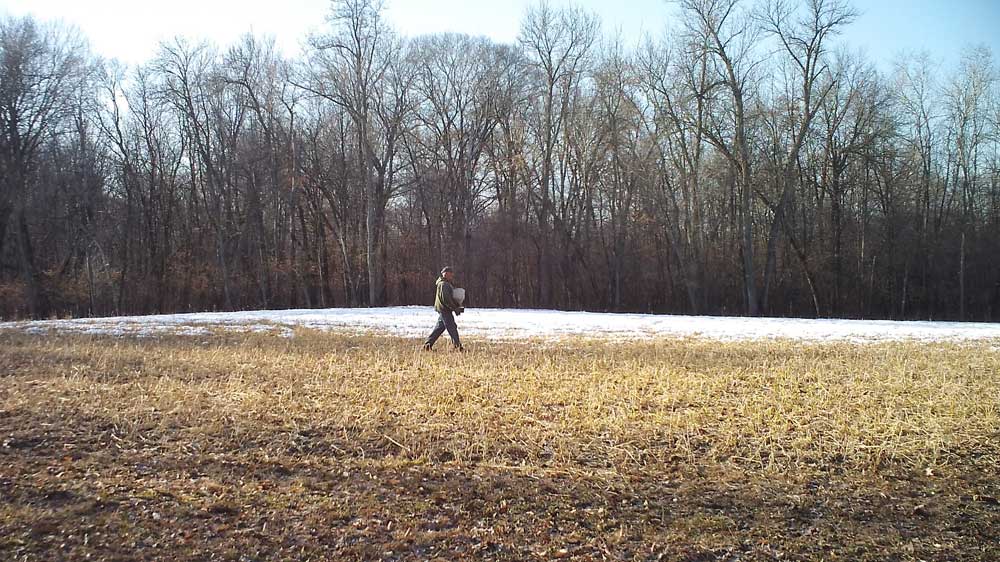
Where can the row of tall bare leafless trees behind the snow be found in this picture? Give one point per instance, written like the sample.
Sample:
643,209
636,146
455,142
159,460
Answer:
744,163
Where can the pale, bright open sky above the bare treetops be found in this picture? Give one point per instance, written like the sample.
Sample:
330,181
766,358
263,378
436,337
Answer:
130,29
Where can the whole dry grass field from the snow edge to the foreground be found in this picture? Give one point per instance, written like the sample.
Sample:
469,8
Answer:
335,447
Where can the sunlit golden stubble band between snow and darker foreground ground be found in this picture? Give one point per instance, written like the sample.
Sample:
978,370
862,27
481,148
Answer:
573,404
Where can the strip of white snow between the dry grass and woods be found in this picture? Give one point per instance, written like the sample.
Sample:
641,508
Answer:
416,321
